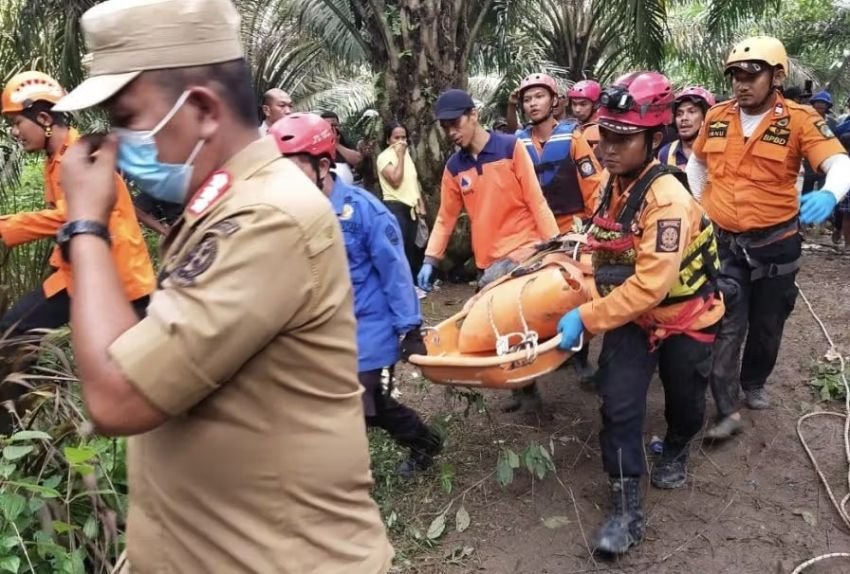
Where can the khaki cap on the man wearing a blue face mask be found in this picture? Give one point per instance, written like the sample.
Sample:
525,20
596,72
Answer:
128,37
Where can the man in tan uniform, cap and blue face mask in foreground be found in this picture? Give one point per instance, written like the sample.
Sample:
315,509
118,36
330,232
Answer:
250,452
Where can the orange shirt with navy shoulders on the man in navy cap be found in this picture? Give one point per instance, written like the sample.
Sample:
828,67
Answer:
501,195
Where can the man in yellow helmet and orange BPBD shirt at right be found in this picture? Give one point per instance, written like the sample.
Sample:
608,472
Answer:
744,167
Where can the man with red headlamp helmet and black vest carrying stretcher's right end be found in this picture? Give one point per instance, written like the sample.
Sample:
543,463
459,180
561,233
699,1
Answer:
655,266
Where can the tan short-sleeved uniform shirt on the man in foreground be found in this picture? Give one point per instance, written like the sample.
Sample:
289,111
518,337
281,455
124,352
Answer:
249,345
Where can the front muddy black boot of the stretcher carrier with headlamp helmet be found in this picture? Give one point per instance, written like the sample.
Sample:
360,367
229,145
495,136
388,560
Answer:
624,527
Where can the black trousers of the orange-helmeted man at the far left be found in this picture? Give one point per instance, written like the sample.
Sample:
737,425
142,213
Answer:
36,311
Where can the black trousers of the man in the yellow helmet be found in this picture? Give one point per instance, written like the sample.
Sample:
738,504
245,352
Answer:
755,317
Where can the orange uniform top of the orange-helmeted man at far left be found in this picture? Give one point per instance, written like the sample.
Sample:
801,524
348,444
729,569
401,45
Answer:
128,246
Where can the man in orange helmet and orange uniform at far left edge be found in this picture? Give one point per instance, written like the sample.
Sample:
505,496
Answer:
27,101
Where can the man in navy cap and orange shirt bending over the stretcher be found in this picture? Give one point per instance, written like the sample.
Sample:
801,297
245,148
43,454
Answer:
493,178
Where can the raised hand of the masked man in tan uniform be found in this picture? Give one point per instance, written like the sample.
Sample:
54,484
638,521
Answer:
88,179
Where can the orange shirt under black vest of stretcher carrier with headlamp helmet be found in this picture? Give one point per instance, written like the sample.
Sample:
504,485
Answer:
670,209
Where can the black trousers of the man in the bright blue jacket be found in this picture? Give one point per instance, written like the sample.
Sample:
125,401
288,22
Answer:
400,421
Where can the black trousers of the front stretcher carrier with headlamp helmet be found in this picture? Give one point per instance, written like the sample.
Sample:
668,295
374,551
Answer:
626,366
